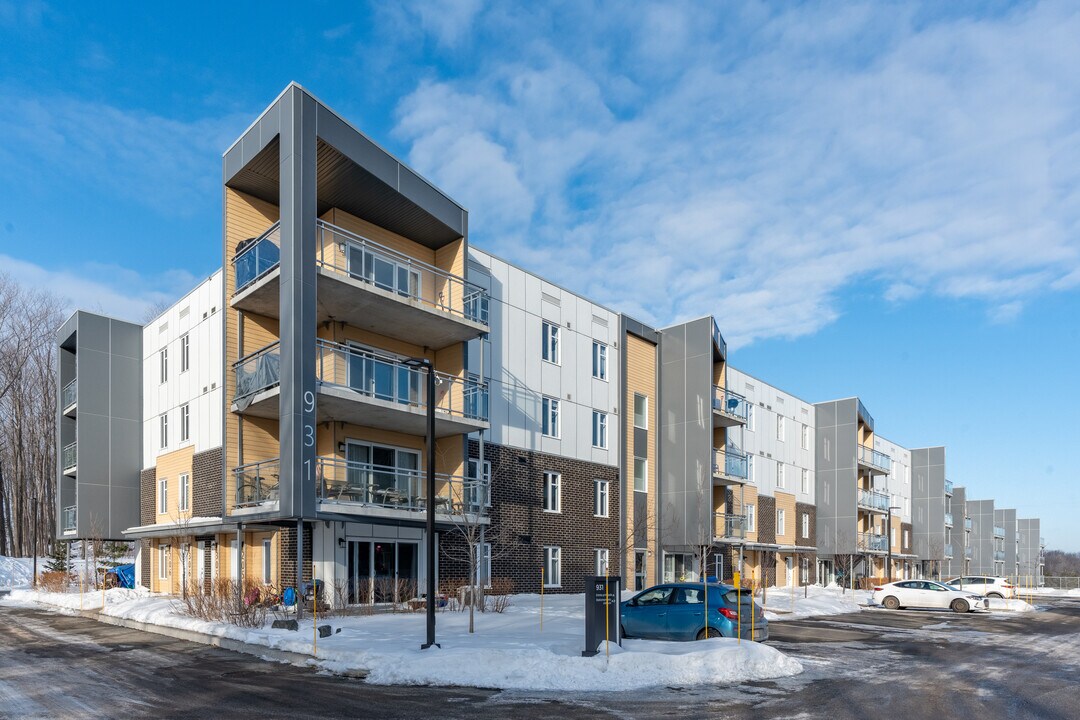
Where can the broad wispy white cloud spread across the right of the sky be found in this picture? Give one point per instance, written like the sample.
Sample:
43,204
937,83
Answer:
761,165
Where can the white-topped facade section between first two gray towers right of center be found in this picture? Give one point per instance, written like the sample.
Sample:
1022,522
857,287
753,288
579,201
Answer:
778,440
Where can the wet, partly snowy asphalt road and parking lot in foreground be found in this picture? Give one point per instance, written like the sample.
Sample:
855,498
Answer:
906,664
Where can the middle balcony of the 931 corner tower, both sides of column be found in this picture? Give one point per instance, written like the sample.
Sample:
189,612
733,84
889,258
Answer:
364,388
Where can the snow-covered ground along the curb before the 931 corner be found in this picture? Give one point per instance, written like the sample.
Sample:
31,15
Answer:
508,651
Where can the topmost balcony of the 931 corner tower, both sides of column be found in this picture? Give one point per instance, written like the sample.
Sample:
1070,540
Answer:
371,287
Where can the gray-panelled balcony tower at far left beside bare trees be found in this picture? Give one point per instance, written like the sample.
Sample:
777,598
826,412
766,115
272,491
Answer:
105,359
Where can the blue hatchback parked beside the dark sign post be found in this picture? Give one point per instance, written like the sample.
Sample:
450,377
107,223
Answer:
677,612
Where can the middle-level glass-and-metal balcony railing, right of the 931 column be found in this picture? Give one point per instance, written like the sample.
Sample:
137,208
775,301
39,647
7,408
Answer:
389,379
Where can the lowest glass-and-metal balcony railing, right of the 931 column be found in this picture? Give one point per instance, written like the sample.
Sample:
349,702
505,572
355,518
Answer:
398,488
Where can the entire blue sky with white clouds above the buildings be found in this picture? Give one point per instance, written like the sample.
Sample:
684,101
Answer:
882,201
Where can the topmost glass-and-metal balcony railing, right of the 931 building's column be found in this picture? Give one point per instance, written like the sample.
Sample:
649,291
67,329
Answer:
361,259
